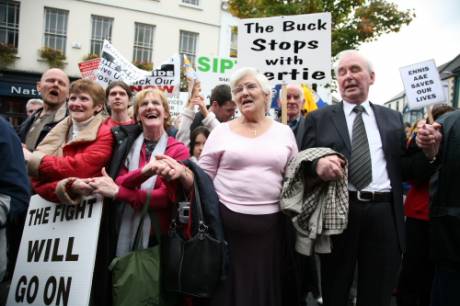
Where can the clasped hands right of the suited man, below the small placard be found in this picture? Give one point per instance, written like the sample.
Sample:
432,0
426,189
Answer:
429,138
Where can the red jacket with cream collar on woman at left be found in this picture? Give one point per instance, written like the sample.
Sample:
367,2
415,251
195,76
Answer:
83,157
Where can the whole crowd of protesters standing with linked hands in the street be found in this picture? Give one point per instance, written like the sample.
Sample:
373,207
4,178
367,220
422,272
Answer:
85,140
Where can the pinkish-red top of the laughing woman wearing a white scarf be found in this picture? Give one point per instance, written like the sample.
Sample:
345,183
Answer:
162,196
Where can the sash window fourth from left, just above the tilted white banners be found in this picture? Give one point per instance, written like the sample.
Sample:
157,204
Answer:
143,43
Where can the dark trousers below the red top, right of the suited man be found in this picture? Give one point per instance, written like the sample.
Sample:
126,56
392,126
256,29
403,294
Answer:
415,279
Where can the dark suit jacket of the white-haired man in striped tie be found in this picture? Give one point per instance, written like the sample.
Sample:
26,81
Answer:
327,127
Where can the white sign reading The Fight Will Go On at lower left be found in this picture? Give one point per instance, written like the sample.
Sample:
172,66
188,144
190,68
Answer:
57,253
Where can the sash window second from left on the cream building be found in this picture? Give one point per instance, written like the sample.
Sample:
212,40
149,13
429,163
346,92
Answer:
56,28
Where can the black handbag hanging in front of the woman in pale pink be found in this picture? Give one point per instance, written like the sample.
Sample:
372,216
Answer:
194,266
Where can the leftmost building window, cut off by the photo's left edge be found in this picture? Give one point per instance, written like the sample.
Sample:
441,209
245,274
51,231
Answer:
9,23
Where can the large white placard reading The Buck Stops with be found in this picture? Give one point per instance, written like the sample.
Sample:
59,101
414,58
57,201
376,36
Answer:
290,49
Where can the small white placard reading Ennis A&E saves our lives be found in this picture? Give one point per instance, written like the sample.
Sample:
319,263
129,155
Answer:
422,84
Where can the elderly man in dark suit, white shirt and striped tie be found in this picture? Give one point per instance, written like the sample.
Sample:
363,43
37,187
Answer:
372,138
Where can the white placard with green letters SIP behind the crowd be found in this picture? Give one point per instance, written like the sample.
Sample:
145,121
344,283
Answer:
213,71
